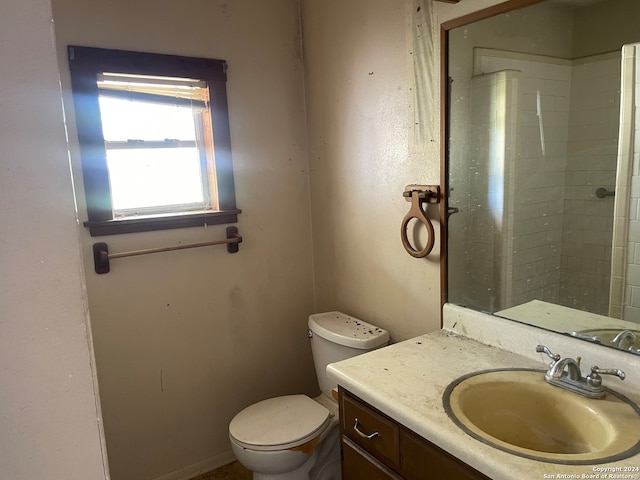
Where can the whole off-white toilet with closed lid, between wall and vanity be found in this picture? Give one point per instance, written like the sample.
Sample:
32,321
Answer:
295,437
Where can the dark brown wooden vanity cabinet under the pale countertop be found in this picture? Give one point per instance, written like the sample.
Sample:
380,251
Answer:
375,447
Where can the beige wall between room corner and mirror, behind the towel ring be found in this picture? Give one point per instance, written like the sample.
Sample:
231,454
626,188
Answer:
362,153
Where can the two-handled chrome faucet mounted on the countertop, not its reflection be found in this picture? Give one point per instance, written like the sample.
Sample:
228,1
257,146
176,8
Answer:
565,373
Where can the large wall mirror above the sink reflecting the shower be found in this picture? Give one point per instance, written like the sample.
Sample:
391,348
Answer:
540,165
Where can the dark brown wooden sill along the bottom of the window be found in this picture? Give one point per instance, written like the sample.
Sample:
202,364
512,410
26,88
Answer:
164,222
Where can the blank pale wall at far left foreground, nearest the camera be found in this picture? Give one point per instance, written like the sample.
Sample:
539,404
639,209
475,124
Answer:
49,420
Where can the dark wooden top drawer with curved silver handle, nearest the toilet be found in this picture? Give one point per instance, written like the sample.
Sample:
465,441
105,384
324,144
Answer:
369,429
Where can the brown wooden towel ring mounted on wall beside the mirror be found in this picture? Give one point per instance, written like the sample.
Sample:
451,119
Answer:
419,194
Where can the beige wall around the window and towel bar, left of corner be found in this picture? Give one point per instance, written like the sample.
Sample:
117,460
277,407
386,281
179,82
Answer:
184,340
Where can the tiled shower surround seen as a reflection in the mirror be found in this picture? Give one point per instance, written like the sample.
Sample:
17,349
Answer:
542,138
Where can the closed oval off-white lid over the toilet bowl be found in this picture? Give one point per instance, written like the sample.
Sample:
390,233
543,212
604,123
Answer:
279,423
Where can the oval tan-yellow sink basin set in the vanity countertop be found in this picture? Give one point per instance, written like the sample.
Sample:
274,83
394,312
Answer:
515,410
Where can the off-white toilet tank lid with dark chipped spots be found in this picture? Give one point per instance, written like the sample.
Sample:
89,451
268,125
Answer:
346,330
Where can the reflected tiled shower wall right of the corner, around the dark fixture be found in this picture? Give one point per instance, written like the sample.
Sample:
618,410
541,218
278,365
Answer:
591,164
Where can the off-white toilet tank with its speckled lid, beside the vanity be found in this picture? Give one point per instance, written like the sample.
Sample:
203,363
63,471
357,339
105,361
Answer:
336,336
